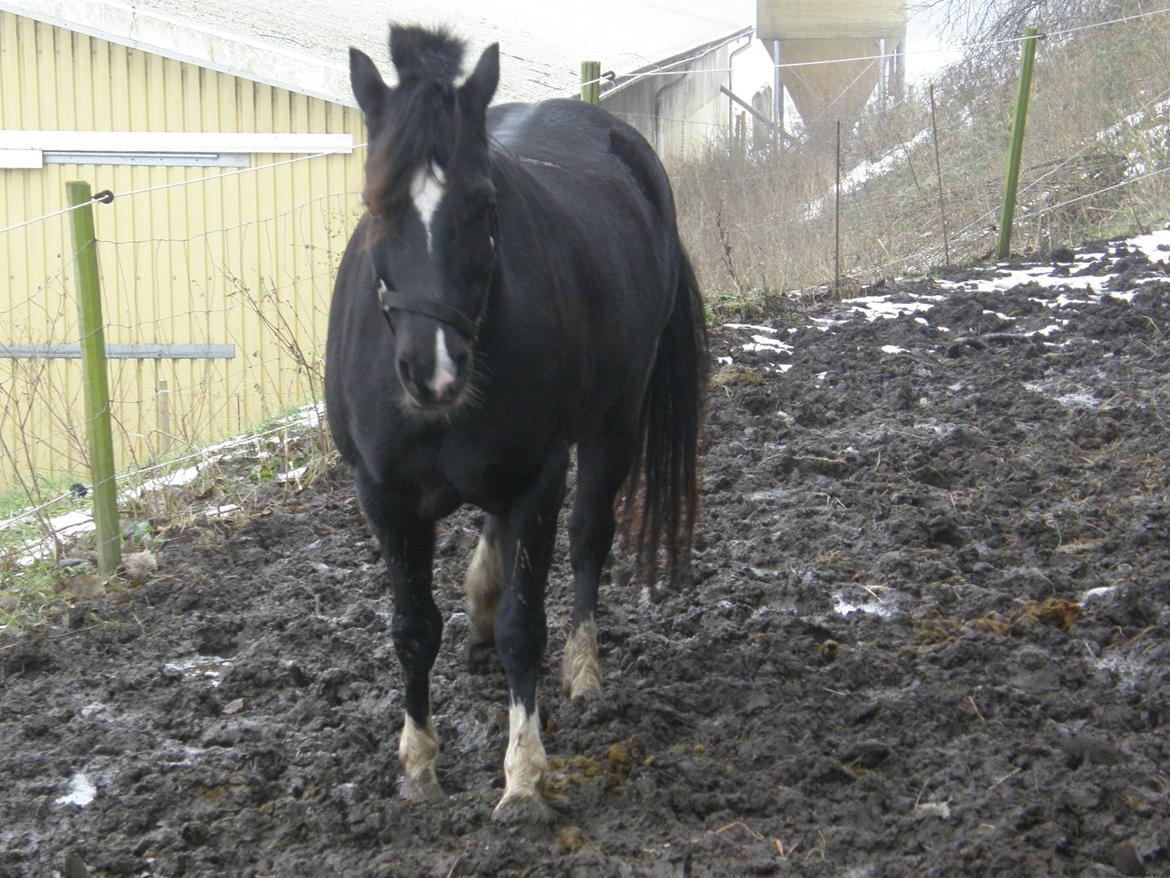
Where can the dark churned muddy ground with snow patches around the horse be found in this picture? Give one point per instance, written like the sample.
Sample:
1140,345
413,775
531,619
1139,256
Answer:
928,635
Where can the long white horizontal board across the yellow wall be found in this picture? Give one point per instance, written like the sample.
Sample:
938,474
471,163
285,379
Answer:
187,142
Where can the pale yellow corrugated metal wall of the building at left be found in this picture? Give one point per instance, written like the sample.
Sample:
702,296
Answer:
244,259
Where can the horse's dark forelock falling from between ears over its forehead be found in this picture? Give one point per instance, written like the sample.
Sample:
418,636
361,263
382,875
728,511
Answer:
423,127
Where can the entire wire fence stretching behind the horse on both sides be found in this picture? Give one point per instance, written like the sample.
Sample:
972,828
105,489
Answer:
250,286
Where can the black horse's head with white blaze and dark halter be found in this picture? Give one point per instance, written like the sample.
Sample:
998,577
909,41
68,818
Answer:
430,196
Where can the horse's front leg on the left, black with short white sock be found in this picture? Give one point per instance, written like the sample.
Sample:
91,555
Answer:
408,547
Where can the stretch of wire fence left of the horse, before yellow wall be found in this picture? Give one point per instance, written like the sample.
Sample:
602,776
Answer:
215,312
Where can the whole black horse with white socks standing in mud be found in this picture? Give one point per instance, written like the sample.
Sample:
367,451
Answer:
517,287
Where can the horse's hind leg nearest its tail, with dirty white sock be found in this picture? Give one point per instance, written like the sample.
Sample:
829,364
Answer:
603,464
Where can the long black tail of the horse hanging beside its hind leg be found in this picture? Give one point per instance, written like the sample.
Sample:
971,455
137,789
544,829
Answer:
662,517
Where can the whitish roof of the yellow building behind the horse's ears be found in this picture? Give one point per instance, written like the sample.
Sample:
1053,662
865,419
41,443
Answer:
304,46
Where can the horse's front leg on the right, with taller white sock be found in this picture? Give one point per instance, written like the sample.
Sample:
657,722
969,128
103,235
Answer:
527,539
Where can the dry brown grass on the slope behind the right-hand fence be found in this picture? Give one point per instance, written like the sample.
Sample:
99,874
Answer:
1095,161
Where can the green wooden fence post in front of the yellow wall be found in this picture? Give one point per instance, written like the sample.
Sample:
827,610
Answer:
97,382
